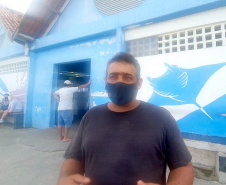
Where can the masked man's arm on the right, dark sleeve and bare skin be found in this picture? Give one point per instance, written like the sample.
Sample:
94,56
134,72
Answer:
178,157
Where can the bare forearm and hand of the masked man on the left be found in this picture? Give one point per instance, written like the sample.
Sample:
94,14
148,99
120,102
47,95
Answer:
72,173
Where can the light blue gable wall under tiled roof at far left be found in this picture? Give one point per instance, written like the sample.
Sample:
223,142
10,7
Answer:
9,49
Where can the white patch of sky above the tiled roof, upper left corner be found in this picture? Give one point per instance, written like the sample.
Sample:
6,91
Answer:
19,5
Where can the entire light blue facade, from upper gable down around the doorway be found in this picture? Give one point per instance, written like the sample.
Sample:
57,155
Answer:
82,32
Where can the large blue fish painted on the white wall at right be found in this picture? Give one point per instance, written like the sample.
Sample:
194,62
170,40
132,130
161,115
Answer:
188,86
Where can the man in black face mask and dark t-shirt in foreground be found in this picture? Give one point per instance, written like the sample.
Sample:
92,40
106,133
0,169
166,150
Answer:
126,142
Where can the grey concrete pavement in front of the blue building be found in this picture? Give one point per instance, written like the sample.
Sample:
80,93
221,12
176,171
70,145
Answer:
31,156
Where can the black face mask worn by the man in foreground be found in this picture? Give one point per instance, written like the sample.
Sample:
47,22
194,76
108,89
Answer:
121,93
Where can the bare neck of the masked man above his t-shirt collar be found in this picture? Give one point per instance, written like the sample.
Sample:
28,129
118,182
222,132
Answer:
124,108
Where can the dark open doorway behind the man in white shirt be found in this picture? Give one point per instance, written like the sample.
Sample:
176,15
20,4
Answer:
78,73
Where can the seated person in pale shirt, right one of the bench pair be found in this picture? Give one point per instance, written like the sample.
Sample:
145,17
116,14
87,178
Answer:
14,106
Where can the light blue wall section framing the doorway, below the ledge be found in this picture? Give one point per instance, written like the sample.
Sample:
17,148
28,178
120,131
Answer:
97,50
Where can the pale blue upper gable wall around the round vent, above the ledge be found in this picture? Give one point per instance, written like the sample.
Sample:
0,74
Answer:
79,13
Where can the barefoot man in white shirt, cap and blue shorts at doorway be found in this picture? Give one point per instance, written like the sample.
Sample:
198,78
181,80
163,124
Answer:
64,96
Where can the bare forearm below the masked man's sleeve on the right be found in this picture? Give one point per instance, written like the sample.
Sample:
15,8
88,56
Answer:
181,176
